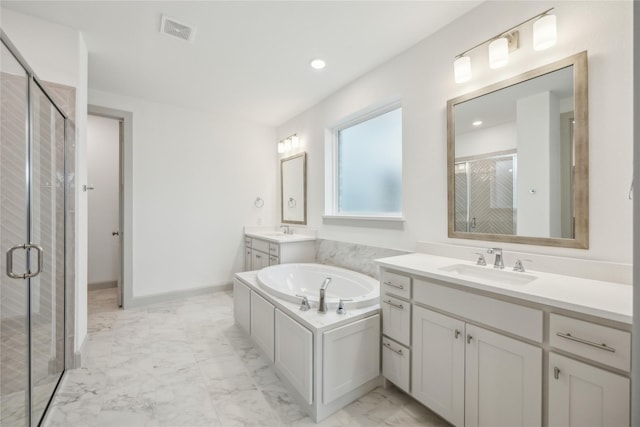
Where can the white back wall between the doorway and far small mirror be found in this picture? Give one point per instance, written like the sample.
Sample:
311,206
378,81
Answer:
195,179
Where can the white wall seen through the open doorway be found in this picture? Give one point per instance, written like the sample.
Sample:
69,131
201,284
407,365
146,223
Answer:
103,139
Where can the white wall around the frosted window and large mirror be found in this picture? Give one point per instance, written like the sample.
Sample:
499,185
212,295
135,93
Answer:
422,78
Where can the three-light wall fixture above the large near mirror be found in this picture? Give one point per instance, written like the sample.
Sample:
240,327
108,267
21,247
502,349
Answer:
544,36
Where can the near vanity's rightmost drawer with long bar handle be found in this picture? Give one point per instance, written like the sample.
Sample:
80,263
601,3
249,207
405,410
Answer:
590,340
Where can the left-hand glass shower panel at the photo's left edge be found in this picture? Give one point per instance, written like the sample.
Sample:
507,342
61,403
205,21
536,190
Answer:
14,293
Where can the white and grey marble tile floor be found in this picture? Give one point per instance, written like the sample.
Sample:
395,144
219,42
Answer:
185,363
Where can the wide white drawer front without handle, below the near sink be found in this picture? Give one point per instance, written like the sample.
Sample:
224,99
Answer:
516,319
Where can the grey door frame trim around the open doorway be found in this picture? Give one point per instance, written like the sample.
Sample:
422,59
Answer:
126,201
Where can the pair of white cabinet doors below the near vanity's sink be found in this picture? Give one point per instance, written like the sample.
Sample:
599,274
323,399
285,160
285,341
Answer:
472,376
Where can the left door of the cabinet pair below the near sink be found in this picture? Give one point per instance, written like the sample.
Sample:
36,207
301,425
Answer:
438,363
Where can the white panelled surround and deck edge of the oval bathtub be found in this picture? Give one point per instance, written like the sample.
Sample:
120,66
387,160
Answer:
327,360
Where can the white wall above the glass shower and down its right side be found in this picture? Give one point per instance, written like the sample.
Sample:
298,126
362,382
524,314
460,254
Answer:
58,54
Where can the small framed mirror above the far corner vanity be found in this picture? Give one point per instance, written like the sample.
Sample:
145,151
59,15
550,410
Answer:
293,178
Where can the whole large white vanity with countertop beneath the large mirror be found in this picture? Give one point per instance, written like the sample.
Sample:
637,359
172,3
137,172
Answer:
487,347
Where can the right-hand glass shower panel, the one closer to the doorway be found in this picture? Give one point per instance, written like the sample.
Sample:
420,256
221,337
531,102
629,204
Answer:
47,230
